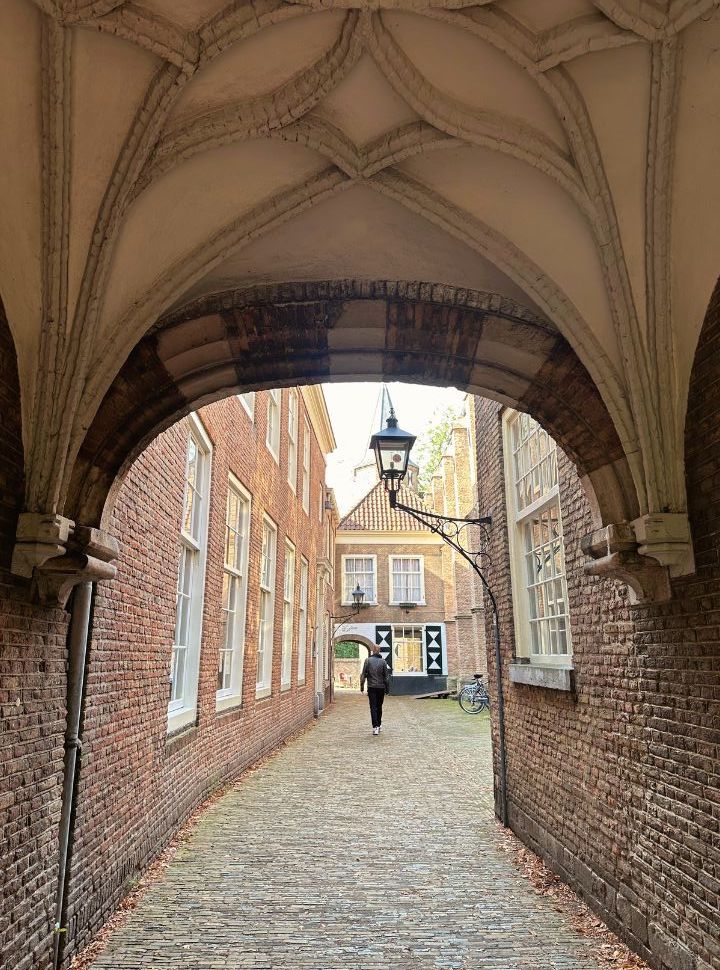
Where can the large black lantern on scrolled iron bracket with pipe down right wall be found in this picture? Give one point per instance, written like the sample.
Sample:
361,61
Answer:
392,453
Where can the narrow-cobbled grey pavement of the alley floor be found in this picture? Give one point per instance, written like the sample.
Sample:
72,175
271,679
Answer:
353,852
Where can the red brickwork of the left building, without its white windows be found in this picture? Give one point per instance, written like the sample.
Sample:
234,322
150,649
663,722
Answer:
137,785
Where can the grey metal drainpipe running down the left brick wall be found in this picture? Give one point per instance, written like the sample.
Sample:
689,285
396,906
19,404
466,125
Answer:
77,653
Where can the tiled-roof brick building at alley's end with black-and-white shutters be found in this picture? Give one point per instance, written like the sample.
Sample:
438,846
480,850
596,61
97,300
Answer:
422,605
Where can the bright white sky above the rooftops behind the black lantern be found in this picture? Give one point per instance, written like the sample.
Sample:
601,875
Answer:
355,415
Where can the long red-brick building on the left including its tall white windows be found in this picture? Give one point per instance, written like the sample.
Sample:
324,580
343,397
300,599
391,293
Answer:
181,697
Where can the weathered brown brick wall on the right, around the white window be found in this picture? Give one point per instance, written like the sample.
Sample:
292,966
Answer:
622,796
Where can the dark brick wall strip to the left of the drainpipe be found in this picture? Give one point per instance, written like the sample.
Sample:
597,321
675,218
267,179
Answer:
32,718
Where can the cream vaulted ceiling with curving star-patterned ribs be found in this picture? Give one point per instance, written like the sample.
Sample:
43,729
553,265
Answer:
562,155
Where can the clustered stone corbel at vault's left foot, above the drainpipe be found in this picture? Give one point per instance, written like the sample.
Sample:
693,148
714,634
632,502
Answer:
58,555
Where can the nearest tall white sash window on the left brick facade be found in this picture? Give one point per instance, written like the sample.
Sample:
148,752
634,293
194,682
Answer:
191,579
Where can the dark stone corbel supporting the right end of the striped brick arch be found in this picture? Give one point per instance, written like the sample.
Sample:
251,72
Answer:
614,554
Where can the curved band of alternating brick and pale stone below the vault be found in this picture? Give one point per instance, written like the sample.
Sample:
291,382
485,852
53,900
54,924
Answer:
352,330
